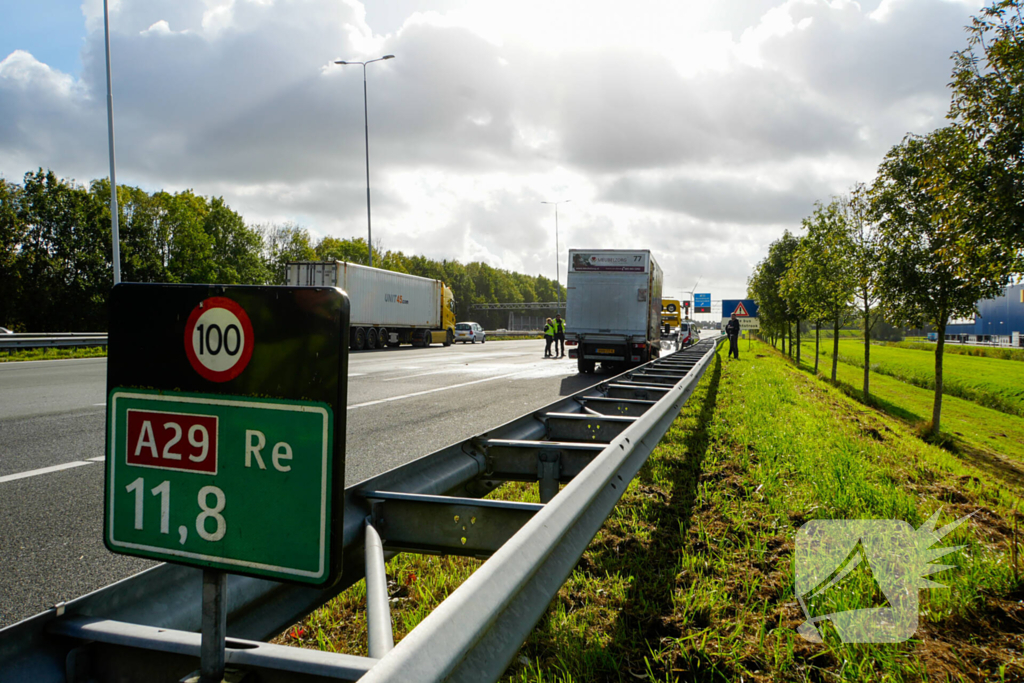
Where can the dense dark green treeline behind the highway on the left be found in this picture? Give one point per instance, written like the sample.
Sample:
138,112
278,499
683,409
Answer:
57,264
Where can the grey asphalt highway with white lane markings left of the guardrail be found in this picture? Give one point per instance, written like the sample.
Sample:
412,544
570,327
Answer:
403,404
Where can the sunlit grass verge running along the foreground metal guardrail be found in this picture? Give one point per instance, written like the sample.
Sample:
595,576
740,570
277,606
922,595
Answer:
692,578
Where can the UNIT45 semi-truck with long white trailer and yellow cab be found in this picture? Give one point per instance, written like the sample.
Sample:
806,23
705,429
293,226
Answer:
388,309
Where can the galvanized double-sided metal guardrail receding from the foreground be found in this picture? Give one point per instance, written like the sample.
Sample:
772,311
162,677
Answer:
145,628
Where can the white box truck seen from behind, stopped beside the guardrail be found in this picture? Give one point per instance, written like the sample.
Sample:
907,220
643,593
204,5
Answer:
613,308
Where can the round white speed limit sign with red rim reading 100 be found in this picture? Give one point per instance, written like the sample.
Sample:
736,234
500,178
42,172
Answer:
219,339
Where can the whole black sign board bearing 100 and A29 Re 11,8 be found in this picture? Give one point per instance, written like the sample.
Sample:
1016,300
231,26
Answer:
226,429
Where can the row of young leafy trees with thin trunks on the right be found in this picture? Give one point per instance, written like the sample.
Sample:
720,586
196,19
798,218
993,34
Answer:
941,229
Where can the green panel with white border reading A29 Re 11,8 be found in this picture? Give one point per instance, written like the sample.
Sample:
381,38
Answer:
228,484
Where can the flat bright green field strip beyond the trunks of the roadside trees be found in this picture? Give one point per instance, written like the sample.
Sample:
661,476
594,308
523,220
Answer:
992,382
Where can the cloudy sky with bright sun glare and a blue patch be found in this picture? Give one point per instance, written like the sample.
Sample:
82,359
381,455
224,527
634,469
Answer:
699,131
